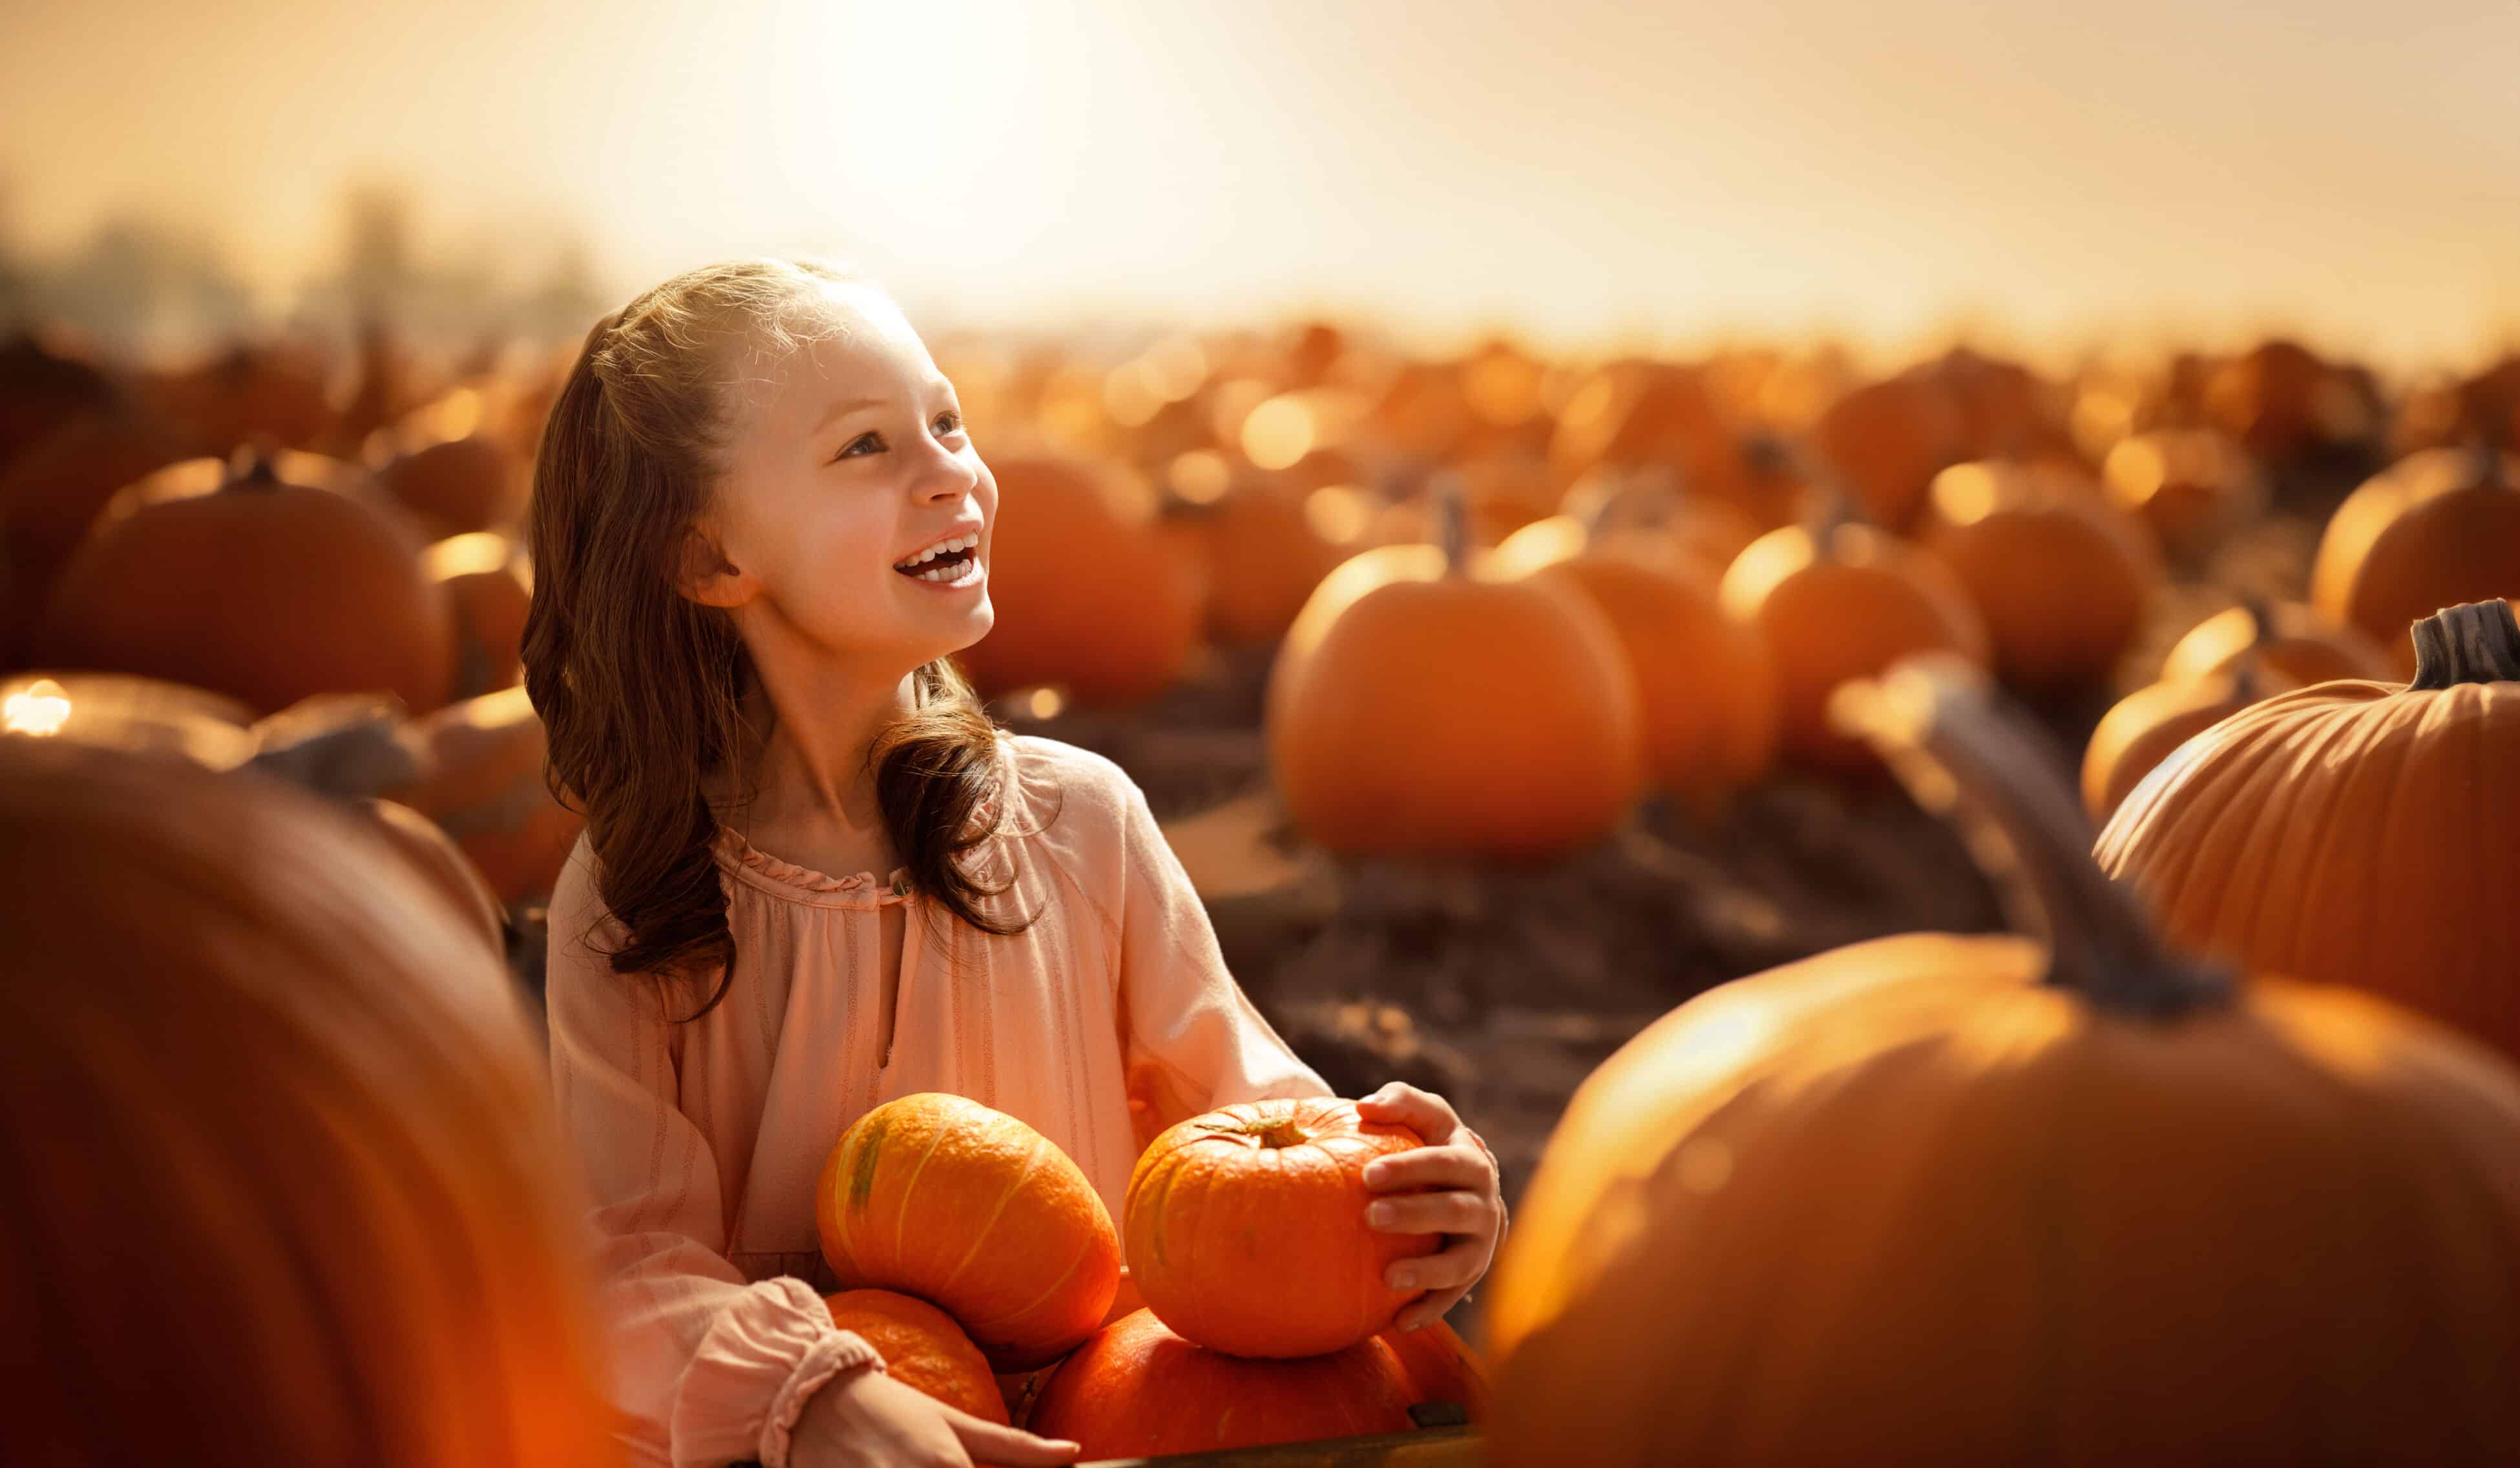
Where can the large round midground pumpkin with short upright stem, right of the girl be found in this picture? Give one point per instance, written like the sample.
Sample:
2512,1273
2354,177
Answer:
1410,681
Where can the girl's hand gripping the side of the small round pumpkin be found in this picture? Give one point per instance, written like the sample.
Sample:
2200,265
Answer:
1470,1210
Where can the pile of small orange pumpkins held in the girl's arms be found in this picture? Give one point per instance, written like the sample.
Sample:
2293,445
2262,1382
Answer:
1239,1306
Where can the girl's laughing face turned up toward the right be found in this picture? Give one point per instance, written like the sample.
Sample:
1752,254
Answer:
853,507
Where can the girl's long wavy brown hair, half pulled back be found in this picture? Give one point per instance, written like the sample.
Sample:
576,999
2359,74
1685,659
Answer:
644,689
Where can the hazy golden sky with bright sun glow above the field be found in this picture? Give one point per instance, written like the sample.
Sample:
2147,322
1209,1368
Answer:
1574,170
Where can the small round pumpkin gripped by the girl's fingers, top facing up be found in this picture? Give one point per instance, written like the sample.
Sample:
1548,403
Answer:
1246,1228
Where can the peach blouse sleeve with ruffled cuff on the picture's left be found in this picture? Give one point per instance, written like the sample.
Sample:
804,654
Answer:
709,1369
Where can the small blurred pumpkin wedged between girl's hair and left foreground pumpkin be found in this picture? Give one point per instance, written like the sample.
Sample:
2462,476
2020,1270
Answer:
485,787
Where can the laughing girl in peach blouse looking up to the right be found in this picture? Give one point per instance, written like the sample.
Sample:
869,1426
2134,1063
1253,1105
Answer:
757,533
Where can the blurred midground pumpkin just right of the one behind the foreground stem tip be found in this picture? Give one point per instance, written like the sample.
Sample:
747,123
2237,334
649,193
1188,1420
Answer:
2058,575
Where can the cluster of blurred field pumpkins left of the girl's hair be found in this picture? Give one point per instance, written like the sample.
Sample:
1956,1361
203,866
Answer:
188,570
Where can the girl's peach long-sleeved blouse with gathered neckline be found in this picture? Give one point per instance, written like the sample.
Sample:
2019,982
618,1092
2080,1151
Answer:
1108,1019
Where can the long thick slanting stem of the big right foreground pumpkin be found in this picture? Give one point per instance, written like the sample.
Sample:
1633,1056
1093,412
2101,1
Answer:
1962,749
